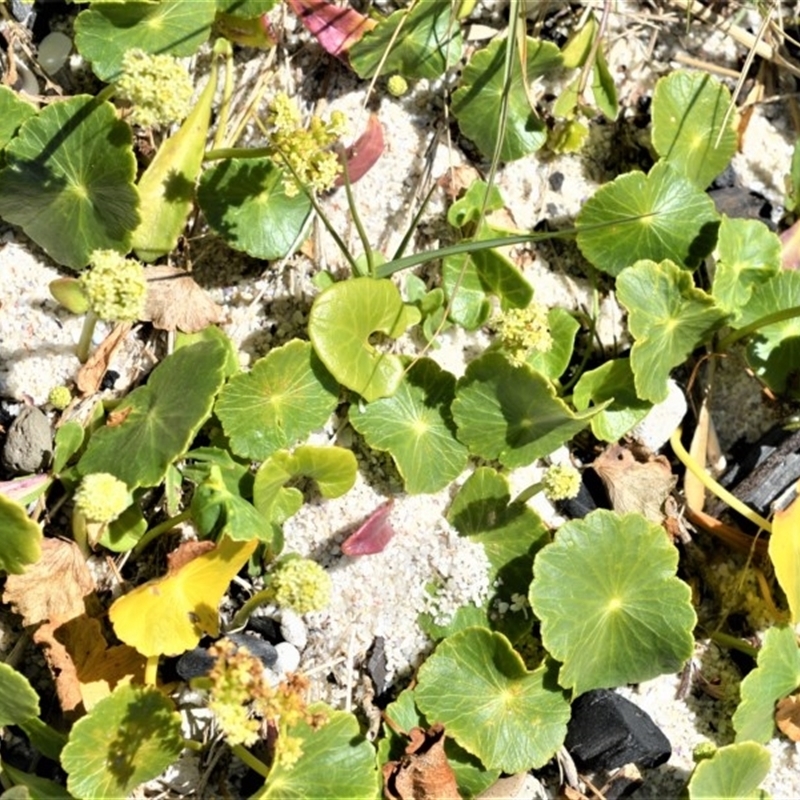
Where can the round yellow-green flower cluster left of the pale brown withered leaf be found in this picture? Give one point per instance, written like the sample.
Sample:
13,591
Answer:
115,286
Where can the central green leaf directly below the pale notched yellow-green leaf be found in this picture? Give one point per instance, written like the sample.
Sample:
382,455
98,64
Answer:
416,427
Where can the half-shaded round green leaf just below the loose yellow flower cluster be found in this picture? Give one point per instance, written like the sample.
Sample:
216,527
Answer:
245,202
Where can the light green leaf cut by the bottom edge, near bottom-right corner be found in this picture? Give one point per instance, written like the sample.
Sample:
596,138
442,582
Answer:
732,773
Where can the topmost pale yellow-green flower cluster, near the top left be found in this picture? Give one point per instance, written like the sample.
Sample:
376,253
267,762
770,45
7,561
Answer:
157,86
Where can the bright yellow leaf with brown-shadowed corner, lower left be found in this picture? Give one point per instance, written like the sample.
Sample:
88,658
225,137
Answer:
169,615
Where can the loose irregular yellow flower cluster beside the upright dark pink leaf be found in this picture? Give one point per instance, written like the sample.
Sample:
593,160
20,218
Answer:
306,150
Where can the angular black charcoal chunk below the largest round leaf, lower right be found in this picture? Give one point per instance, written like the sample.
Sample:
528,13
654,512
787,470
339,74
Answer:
607,731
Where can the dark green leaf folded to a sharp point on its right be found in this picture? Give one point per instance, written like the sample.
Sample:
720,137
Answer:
511,413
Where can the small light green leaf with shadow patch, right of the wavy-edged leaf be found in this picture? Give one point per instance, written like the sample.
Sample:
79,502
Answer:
748,254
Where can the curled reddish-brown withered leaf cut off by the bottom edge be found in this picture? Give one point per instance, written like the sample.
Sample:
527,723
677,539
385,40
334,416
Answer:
423,773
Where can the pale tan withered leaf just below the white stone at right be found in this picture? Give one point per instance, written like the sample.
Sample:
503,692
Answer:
635,480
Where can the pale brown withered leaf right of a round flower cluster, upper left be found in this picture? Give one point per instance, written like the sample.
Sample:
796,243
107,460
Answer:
176,302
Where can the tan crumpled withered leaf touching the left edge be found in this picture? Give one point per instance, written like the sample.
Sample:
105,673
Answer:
54,588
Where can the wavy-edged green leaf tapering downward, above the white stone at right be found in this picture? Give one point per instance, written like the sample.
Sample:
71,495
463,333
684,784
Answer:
668,318
